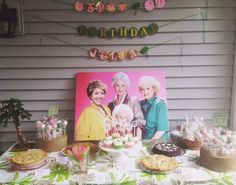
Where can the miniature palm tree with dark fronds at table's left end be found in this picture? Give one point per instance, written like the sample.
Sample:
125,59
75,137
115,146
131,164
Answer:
13,109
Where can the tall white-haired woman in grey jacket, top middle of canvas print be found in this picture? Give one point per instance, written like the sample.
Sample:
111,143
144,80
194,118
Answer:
121,83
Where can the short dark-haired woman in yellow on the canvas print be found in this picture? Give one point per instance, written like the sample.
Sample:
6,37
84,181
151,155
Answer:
93,119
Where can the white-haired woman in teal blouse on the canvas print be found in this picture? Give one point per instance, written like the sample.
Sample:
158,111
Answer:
154,109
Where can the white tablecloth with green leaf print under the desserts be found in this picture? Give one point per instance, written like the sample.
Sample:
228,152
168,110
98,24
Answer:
106,170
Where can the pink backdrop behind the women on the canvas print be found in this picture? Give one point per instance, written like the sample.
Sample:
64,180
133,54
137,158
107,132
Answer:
83,78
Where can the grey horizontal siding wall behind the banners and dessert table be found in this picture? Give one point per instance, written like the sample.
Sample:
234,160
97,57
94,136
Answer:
40,70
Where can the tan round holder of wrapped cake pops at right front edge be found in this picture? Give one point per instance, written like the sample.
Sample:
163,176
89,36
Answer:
219,150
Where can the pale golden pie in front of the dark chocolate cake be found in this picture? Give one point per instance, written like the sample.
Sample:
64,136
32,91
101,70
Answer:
159,163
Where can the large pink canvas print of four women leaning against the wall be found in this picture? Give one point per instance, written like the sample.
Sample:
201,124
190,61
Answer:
121,102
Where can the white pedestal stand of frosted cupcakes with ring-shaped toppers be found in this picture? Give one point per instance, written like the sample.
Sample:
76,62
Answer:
119,140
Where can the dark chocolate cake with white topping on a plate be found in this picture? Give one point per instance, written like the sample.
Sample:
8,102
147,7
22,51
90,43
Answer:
166,148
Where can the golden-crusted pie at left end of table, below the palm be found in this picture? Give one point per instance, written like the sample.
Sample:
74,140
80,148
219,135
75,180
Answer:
29,159
